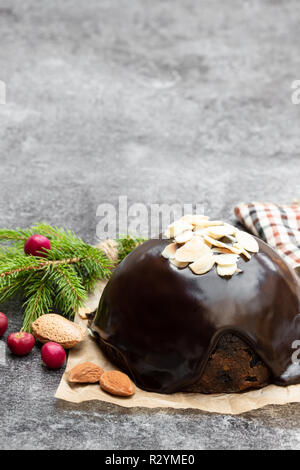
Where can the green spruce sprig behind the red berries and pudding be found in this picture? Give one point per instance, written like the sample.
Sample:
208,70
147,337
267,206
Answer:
61,280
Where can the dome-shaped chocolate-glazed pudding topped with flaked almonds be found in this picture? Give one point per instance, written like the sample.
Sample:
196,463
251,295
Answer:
206,308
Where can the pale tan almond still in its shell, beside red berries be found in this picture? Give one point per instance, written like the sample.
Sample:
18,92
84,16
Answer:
52,327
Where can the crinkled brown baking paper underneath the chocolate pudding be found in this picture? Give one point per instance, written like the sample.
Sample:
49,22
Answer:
221,403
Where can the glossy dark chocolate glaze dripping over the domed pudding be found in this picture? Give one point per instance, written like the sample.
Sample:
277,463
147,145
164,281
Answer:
166,321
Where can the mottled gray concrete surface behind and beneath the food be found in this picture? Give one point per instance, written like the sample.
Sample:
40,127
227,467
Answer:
162,101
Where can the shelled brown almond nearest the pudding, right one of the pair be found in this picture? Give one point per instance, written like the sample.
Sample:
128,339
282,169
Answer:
117,383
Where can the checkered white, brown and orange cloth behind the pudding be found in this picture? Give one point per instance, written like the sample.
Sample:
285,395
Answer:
279,226
